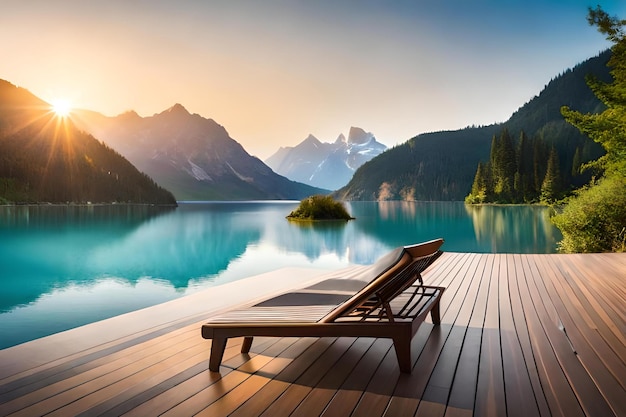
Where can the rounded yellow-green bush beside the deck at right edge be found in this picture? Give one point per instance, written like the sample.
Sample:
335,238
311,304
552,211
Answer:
595,219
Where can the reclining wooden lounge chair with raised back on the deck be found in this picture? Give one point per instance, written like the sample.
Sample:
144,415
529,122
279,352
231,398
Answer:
387,299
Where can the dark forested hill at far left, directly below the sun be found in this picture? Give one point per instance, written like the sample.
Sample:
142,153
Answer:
45,158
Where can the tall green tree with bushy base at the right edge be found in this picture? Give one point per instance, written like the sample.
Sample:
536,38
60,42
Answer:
594,220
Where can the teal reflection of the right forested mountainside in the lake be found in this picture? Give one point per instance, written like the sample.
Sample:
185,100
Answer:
465,228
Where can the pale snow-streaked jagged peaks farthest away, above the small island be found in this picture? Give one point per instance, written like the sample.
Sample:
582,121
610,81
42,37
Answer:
323,164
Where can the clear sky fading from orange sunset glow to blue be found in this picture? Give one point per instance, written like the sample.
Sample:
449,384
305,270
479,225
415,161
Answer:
273,72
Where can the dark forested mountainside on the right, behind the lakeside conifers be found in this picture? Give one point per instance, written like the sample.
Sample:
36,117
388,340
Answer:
442,165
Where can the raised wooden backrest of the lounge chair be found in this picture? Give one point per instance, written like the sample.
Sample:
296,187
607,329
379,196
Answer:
396,278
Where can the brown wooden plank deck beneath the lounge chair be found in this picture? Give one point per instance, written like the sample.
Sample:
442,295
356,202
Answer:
521,335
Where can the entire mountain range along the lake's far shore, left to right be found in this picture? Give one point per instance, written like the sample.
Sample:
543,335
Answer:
47,158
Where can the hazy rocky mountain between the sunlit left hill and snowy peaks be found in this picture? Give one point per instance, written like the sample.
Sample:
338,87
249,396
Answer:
192,156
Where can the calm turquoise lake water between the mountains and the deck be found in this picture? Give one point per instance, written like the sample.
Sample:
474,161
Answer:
62,267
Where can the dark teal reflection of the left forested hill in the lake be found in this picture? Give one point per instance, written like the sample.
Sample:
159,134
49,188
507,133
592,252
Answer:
44,247
